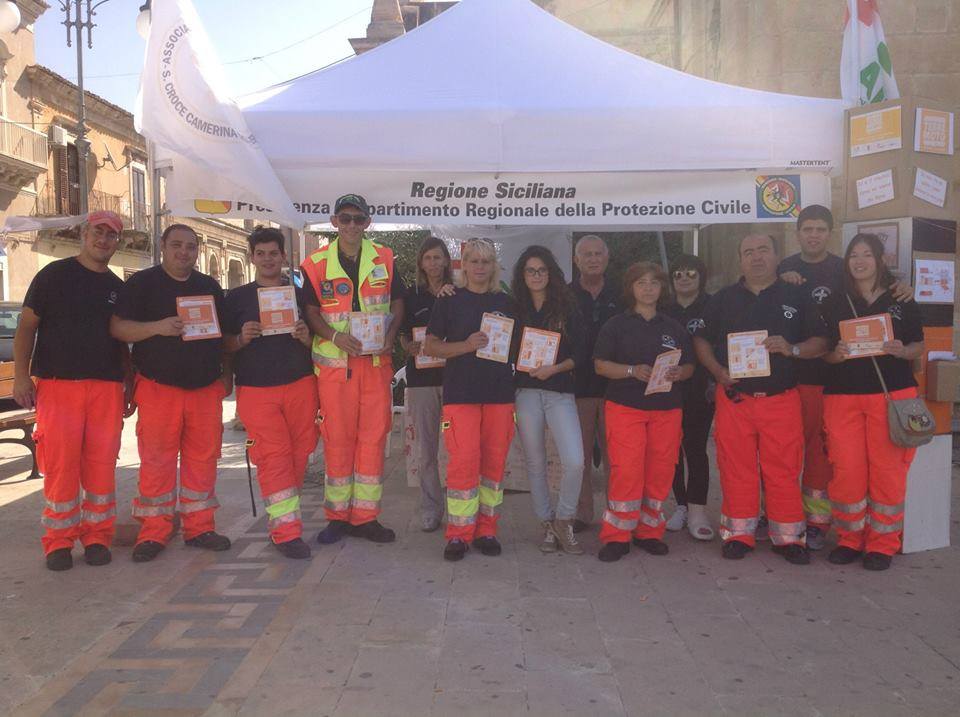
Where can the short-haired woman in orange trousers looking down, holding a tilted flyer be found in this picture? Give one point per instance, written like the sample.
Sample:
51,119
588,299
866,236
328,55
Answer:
643,431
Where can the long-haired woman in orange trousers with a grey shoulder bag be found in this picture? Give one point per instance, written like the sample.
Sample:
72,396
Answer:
869,470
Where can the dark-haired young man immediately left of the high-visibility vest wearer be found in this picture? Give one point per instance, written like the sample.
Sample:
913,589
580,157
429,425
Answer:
276,389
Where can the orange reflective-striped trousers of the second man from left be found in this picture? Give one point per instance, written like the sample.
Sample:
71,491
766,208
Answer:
177,423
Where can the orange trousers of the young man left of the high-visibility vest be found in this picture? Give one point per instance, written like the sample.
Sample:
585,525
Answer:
281,423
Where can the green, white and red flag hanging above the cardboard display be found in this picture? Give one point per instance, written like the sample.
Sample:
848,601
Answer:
866,71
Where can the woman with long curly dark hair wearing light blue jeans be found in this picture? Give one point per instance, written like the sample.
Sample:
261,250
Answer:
545,394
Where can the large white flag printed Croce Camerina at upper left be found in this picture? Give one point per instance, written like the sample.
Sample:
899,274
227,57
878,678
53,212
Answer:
190,113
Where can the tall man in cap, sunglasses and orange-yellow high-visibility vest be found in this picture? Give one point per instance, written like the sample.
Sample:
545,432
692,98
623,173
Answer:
351,283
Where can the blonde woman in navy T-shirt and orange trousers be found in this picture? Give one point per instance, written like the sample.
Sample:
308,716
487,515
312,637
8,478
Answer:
478,396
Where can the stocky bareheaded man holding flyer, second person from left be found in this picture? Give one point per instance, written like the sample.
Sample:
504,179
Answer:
170,313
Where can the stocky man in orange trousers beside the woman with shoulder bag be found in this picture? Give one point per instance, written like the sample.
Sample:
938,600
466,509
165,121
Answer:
753,331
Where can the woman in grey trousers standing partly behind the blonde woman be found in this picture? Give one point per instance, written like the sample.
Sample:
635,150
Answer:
424,398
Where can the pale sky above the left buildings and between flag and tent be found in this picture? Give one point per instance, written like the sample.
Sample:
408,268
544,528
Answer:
240,30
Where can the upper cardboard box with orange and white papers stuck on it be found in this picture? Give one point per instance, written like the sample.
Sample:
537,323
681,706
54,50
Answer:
903,162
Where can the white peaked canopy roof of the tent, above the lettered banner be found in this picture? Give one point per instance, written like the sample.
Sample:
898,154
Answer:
501,85
